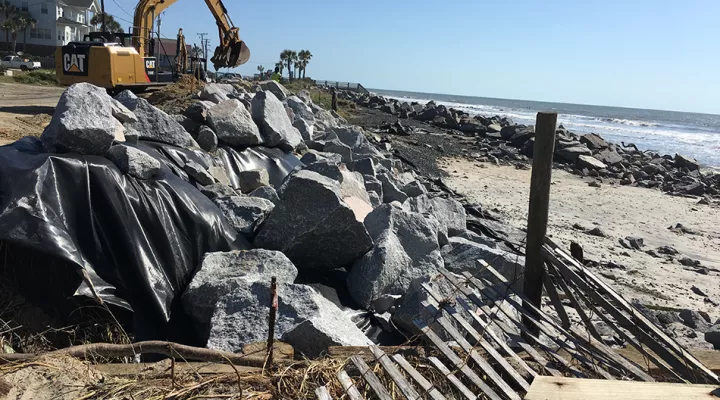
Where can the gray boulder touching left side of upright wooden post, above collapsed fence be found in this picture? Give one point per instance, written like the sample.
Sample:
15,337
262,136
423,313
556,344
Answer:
461,255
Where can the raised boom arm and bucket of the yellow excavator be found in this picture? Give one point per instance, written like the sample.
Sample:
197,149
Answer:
231,52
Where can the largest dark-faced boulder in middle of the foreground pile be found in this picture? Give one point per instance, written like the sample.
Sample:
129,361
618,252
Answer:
312,225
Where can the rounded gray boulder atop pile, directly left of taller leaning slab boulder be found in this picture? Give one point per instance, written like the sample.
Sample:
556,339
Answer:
233,124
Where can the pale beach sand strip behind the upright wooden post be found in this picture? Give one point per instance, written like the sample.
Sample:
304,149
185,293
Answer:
620,211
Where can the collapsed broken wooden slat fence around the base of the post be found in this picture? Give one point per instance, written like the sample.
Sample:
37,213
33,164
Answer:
467,334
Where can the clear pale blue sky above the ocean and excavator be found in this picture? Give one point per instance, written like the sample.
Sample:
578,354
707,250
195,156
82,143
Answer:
635,53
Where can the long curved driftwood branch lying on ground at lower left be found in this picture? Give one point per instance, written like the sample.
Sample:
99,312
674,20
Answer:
169,349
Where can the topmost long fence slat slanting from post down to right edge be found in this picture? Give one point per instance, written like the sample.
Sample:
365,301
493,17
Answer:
638,316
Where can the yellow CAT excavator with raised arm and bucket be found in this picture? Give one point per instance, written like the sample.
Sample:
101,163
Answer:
118,61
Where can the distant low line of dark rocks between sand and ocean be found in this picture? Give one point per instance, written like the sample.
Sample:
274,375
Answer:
501,140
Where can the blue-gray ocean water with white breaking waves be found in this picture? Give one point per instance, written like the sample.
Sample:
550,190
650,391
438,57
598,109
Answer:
667,132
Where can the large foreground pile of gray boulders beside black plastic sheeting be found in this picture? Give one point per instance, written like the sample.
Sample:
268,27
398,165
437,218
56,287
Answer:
350,207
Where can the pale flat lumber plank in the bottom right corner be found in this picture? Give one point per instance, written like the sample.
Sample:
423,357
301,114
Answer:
554,388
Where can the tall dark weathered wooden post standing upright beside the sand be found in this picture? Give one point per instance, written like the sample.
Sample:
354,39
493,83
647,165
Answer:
538,213
